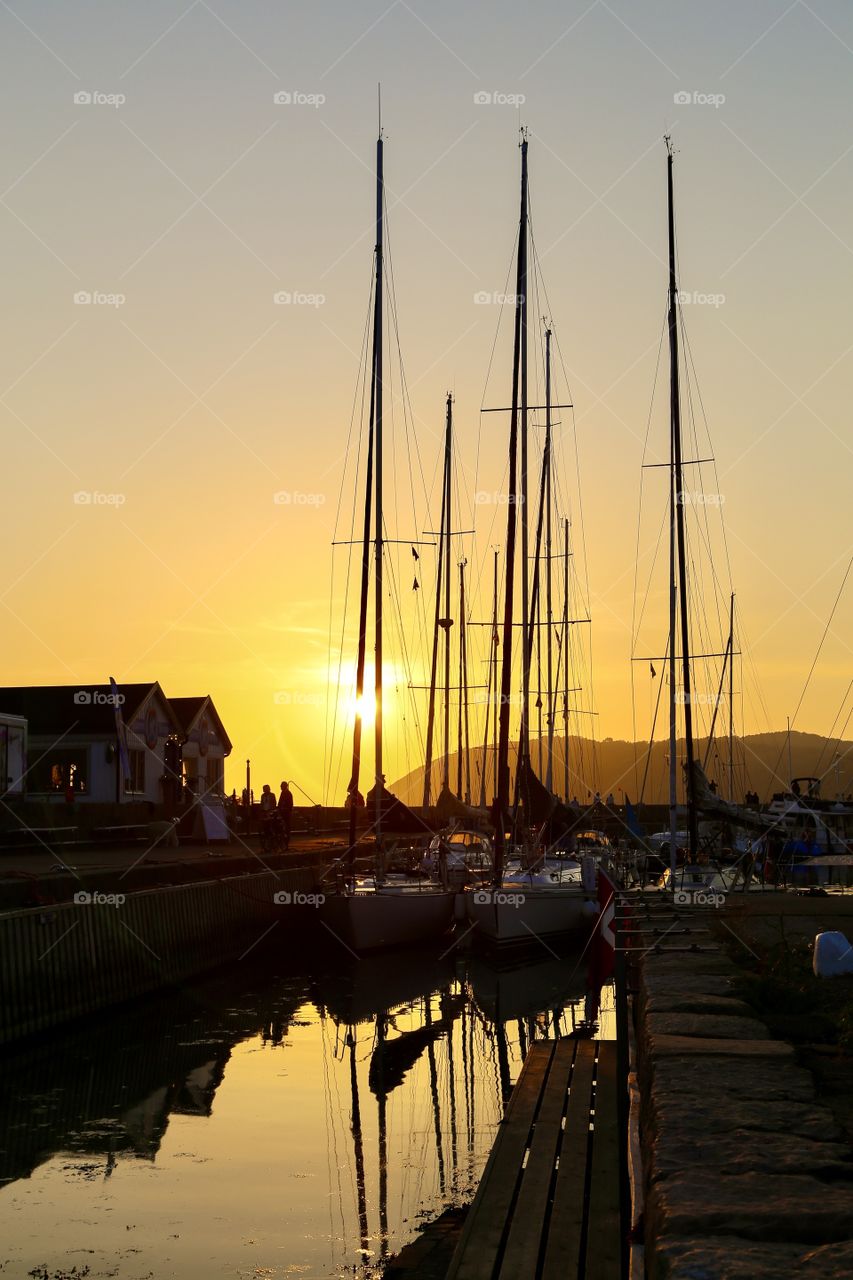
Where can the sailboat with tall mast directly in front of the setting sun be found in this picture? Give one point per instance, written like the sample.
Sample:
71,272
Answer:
371,913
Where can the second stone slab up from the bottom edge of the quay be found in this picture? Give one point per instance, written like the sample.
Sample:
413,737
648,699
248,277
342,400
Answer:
697,1204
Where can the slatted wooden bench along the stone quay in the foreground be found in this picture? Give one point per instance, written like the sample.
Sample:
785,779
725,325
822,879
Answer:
549,1204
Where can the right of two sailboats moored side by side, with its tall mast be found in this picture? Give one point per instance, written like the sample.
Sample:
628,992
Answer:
523,906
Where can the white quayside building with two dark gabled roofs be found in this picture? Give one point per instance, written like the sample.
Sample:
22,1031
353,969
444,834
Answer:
116,743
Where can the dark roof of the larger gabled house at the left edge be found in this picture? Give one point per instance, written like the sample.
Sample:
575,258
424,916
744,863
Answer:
63,710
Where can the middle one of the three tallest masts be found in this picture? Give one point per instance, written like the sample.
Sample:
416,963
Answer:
507,668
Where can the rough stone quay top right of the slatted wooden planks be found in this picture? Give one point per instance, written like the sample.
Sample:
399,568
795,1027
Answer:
747,1176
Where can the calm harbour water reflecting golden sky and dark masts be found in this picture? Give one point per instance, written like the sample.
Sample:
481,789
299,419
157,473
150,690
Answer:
289,1121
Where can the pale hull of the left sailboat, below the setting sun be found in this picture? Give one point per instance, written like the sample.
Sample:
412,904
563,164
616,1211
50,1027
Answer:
372,920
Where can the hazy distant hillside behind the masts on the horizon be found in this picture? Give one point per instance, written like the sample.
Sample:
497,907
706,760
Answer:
760,765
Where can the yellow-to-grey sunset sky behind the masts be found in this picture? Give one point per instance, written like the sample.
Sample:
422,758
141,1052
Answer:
156,397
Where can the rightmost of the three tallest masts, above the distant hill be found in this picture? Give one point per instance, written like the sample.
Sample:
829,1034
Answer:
677,502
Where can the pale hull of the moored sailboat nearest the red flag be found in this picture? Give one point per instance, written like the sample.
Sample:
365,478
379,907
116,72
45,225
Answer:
542,913
